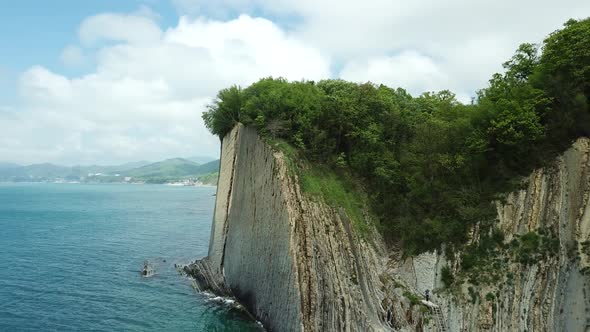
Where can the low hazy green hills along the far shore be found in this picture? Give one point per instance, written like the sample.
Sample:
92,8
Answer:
176,170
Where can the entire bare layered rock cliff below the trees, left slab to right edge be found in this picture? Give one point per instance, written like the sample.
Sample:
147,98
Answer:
297,263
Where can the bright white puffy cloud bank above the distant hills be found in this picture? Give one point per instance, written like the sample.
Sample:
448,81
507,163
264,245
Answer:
147,94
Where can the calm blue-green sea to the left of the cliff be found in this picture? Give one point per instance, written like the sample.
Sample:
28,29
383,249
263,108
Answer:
70,256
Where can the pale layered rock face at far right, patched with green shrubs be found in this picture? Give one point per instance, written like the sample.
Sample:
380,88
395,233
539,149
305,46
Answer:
549,295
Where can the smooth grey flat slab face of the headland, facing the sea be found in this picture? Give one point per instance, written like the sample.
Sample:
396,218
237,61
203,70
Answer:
250,255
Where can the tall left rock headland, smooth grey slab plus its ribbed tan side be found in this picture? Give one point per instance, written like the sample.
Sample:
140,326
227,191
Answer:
294,263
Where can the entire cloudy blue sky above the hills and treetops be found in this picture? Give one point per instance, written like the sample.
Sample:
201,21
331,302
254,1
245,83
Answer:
113,81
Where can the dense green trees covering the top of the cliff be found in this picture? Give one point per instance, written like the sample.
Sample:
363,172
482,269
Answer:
431,166
